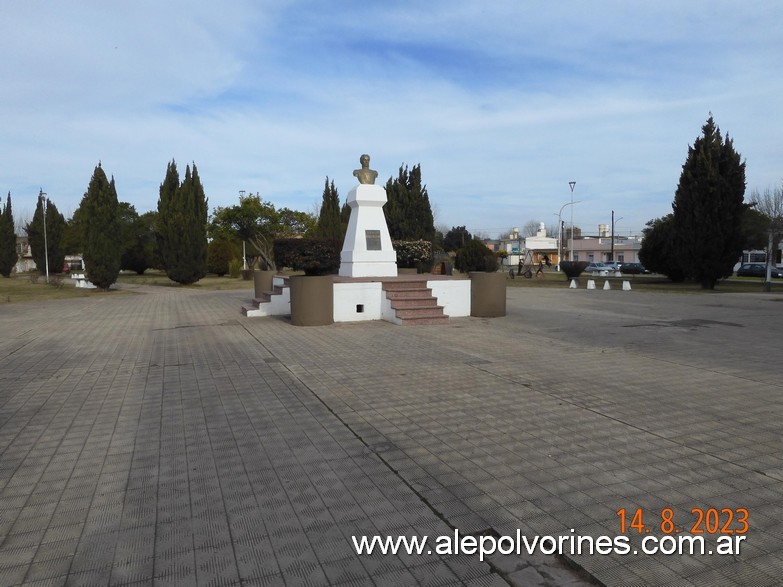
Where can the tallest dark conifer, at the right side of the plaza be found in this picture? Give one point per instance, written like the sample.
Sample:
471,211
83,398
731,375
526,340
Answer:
708,207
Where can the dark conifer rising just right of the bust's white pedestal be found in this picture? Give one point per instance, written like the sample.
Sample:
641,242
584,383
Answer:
408,211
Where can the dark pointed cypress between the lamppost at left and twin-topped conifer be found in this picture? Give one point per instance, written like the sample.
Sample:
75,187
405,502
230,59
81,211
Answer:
103,237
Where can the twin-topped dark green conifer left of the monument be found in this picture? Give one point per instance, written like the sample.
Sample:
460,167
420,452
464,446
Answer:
182,225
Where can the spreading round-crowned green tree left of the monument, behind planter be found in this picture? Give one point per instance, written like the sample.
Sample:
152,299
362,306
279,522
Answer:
259,223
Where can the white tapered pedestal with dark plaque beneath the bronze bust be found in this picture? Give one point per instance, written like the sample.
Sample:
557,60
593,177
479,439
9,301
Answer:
367,249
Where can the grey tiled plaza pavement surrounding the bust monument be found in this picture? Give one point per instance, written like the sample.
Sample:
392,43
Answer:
158,437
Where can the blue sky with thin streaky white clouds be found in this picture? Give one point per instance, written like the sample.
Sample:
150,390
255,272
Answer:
501,103
